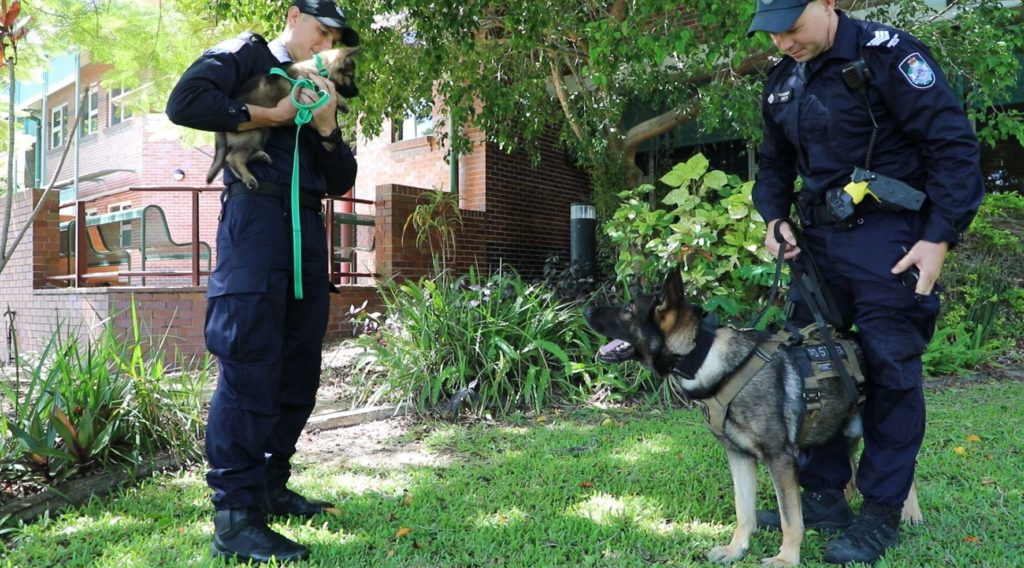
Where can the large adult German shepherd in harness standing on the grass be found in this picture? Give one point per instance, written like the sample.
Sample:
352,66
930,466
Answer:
764,420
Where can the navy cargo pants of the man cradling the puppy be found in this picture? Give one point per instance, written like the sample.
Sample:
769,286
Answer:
268,343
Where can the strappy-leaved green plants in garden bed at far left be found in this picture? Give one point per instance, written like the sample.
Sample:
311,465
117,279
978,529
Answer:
100,403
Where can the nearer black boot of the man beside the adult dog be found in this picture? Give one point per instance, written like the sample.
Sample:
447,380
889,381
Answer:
875,531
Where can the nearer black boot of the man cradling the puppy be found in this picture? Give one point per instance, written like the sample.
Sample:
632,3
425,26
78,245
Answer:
242,534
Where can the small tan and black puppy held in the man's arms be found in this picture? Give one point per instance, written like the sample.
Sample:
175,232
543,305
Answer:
237,149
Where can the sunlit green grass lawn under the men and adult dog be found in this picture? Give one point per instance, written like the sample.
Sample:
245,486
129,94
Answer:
588,489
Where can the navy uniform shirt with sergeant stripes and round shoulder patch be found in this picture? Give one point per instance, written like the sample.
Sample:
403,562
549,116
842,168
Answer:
819,127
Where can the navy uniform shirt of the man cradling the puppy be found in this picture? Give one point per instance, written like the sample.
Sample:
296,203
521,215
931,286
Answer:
204,100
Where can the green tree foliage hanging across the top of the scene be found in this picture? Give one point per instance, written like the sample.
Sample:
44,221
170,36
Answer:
608,75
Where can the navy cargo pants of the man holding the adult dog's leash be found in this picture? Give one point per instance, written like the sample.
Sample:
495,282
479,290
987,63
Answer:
894,327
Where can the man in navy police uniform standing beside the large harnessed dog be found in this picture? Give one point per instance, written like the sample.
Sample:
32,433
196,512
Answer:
895,116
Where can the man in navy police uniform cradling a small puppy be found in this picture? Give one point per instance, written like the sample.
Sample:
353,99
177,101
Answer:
268,342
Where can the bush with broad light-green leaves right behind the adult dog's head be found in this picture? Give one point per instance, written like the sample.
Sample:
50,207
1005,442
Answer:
708,226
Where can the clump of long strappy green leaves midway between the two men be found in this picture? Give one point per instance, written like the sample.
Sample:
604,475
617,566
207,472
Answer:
498,342
